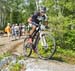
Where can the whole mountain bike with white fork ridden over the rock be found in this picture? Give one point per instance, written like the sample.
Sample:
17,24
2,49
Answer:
43,43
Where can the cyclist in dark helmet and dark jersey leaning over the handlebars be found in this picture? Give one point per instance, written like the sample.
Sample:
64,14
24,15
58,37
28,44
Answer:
35,19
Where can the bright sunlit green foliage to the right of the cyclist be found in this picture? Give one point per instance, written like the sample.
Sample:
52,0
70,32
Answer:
62,21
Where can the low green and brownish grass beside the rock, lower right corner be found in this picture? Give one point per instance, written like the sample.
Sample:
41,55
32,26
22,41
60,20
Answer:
65,55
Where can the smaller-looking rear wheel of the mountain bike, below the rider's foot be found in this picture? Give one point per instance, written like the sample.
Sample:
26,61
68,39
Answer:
27,47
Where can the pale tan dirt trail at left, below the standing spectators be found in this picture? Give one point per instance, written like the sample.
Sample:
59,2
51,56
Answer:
9,45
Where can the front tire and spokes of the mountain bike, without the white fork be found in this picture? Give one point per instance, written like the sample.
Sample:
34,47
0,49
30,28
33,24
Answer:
48,52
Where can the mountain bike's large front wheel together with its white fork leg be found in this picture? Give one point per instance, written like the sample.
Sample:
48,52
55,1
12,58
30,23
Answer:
46,46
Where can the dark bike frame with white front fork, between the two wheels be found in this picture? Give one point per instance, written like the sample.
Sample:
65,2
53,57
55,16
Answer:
37,35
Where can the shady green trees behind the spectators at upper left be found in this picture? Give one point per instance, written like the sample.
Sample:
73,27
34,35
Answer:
15,11
